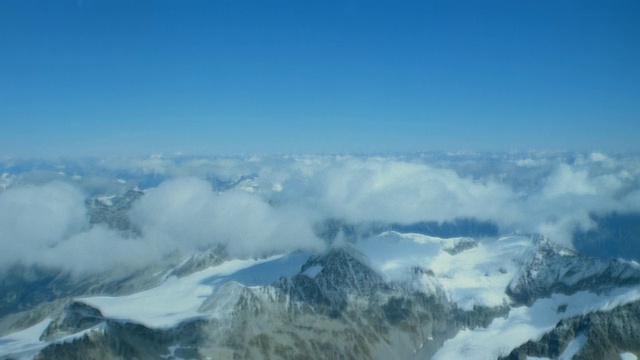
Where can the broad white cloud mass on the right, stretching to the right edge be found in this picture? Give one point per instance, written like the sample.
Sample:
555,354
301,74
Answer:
388,190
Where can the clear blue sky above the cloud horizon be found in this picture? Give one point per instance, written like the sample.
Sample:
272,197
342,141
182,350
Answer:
214,76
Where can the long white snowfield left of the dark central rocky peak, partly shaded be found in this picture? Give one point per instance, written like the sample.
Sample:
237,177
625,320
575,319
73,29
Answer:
178,299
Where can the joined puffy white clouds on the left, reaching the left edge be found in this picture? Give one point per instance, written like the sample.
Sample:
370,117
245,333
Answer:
47,225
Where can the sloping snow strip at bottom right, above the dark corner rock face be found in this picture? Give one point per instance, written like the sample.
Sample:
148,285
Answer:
530,323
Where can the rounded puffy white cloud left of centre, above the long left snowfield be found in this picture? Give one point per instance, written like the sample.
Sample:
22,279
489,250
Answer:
185,213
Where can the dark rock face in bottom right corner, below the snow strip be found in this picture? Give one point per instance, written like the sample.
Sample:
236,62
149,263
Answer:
608,334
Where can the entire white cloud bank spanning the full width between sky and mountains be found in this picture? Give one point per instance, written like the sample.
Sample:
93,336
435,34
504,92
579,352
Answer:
260,206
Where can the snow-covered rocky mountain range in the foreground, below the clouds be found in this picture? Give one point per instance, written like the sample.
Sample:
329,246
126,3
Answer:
393,295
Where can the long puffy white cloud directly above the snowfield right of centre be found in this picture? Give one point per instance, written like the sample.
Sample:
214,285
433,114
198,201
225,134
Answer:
392,191
